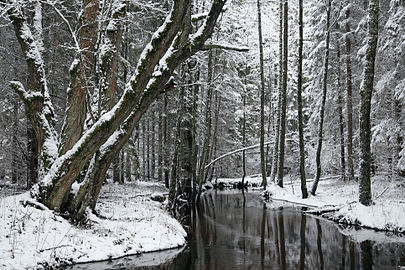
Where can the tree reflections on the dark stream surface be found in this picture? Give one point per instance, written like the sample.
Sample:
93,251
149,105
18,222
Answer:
242,232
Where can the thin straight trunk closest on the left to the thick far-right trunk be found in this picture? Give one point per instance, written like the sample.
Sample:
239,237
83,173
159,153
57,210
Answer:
349,99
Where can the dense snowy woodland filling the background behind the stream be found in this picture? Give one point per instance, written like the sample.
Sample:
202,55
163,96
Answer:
216,105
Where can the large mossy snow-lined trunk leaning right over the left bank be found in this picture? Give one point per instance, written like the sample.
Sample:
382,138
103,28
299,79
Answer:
170,45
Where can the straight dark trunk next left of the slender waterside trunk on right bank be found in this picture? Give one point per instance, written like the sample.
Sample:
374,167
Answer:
283,115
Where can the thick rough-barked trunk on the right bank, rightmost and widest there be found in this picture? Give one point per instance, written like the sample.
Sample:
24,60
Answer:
365,105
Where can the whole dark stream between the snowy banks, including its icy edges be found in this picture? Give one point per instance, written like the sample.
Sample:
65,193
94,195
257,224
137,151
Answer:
232,231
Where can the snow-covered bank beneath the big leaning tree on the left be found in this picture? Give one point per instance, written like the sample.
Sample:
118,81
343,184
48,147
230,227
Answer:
129,223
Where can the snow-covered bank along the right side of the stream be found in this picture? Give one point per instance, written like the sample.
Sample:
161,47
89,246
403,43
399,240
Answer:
340,200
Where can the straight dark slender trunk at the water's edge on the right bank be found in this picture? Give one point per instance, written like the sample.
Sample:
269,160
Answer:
304,190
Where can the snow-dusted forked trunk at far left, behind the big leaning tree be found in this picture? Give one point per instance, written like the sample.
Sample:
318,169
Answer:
38,106
